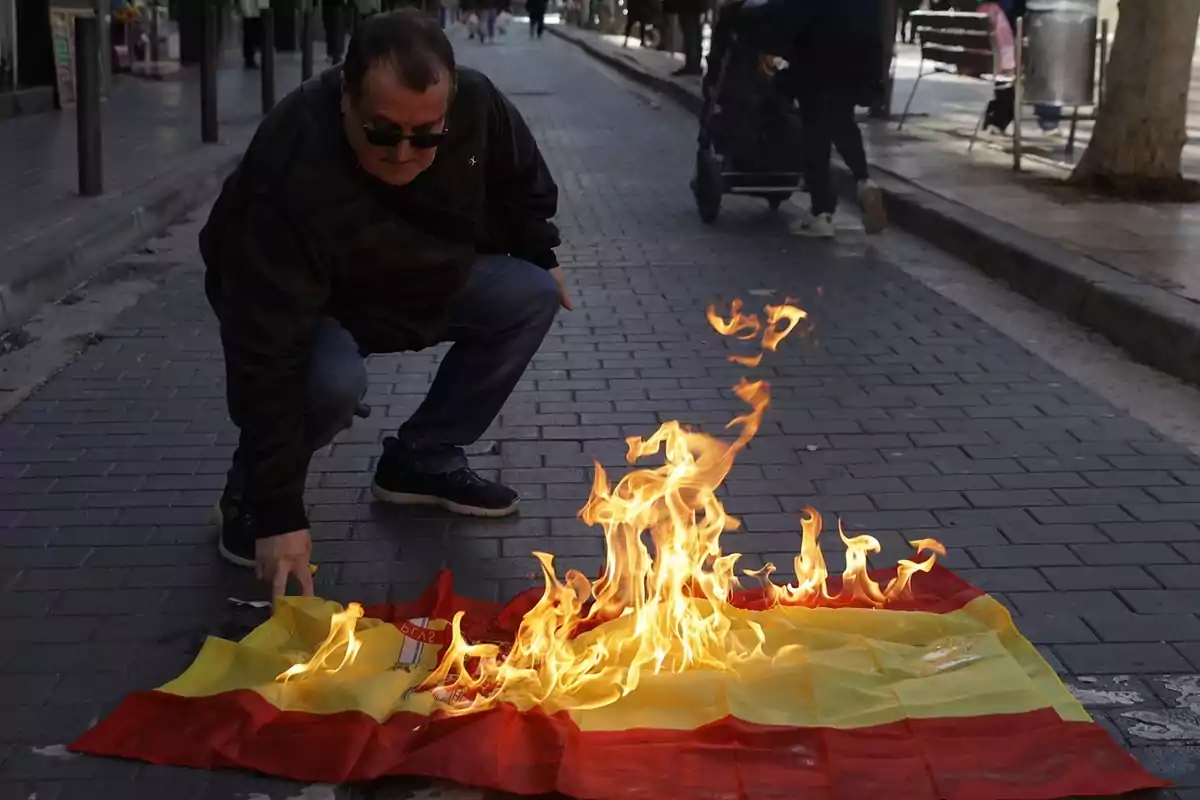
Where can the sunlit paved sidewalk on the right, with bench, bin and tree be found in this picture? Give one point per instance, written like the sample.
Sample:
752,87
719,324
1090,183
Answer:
1124,269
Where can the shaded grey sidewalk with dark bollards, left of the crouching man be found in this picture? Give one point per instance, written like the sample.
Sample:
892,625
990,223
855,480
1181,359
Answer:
155,170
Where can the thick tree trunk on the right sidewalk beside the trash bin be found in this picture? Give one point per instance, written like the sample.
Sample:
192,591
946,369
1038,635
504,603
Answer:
1143,125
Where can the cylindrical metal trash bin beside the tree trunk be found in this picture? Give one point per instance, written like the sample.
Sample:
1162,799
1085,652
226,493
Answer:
1060,56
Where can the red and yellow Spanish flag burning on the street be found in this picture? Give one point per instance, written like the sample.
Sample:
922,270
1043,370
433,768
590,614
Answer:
938,697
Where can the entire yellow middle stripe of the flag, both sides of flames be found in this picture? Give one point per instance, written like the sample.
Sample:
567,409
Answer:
842,669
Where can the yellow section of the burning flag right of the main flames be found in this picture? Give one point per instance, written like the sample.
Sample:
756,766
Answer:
851,669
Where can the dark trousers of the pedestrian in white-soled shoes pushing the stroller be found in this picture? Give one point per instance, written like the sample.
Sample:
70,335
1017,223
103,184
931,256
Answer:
827,113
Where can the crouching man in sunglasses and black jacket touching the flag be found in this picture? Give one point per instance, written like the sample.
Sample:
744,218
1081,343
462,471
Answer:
389,204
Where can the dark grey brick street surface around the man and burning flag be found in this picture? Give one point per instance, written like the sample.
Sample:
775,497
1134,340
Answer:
903,413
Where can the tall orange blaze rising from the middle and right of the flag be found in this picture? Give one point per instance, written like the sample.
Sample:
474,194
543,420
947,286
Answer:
663,606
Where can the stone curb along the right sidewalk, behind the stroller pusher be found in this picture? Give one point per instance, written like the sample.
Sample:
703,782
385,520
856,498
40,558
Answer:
1156,327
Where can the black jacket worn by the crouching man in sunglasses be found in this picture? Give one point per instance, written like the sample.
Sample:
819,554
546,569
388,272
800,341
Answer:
301,234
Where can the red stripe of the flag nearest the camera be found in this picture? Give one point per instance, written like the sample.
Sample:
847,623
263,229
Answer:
1034,756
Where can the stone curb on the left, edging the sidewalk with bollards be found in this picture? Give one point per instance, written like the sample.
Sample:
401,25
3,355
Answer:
52,263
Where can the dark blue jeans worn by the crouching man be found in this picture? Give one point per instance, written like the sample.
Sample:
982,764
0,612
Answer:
497,323
